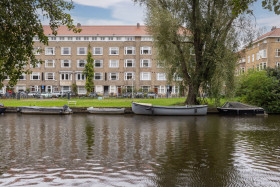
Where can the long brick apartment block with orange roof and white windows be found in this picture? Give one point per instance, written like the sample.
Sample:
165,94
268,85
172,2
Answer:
124,56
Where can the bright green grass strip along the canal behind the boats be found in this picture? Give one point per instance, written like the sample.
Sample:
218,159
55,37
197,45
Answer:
107,102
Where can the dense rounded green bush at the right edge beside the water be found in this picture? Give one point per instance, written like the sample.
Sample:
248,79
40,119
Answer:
261,89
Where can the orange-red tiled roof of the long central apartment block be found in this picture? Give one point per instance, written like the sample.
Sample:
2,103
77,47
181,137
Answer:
107,30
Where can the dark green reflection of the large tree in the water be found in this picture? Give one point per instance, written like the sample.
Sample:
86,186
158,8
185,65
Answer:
200,155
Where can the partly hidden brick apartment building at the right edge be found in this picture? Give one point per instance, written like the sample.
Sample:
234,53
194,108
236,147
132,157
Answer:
264,52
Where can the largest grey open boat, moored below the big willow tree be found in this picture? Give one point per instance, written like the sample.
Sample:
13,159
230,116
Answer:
149,109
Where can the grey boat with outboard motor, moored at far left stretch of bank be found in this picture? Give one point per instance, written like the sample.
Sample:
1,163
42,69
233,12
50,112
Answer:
45,110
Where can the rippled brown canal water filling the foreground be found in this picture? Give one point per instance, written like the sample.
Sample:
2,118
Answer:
130,150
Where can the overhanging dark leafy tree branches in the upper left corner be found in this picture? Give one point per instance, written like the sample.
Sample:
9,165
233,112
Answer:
20,22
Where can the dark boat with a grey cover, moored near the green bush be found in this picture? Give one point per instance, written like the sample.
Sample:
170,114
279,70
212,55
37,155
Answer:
237,108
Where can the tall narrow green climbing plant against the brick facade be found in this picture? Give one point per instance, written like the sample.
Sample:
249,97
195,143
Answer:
89,72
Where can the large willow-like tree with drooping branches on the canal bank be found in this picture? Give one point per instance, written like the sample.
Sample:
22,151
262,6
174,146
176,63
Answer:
197,40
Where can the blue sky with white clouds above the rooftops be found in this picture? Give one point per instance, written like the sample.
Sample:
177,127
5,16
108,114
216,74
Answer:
125,12
